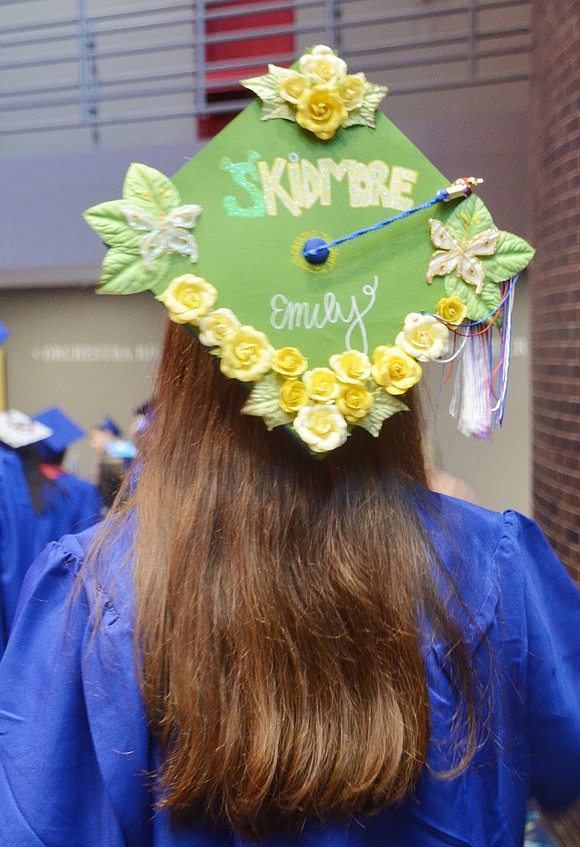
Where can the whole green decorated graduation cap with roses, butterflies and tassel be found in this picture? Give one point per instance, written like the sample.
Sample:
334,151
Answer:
322,258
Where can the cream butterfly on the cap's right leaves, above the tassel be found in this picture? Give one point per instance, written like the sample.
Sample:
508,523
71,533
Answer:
460,256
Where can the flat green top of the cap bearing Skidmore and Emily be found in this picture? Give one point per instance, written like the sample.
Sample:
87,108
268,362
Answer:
265,187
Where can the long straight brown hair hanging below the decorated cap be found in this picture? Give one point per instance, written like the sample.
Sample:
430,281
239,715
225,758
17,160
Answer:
280,606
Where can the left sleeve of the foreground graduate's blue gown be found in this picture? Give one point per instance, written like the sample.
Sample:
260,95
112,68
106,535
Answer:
51,789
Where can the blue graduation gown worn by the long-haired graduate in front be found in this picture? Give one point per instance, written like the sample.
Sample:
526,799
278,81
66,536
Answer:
75,749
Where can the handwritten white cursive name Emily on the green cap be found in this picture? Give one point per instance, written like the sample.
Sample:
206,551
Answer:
287,314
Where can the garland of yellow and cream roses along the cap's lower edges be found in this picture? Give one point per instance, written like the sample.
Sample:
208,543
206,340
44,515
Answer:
322,402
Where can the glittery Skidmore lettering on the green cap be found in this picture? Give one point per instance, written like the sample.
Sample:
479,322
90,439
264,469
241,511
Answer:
296,184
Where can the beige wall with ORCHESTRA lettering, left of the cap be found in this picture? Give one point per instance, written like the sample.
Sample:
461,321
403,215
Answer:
89,354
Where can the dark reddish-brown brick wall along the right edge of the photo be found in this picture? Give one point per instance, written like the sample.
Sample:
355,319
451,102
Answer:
555,274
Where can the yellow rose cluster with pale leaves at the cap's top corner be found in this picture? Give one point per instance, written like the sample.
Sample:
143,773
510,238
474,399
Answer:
320,96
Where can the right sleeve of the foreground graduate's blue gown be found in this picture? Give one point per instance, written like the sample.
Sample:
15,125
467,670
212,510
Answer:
552,629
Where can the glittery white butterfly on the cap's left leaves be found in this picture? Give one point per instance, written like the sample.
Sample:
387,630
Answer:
164,235
